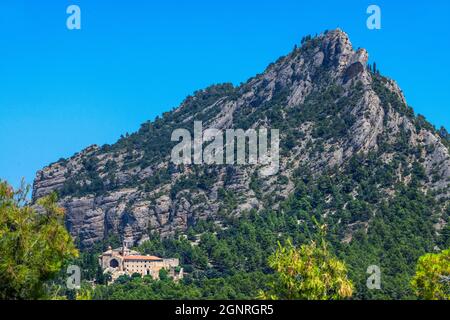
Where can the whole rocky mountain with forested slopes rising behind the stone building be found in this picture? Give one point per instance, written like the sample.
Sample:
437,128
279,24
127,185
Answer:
353,156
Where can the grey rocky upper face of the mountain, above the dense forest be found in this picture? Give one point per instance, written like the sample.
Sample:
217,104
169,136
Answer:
326,102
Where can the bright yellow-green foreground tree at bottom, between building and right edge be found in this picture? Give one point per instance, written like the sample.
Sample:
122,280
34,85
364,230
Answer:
310,272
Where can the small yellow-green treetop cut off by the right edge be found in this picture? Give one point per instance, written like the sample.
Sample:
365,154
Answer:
432,278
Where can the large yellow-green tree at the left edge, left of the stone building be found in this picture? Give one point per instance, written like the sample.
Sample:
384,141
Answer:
33,243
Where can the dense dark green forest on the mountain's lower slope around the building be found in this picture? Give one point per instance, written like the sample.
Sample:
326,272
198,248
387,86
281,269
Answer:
399,233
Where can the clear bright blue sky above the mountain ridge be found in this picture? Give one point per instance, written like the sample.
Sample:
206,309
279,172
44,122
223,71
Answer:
62,90
